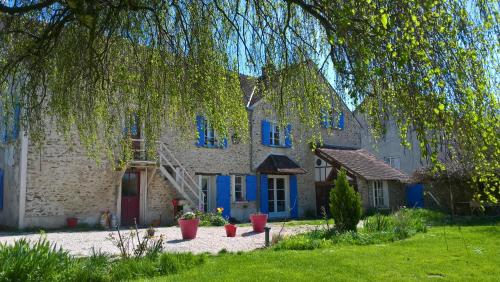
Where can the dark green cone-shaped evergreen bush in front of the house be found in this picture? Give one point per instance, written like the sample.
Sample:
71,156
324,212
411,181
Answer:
345,204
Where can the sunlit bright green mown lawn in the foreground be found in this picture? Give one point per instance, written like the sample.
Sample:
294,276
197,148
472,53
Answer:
469,253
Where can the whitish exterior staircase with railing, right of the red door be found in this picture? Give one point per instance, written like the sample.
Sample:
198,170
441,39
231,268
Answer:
178,176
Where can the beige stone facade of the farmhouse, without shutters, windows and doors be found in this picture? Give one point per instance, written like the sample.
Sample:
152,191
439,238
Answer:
63,182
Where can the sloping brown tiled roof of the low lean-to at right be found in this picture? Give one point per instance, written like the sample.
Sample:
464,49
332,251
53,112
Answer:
363,163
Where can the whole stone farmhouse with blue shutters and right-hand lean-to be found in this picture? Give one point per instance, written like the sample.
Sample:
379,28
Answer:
274,173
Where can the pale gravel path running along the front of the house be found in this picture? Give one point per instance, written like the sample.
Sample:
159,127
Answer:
209,239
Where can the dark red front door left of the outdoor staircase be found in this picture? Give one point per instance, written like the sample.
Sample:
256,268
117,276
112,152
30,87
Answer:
130,197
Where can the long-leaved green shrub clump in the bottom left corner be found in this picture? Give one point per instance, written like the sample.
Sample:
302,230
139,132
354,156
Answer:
26,261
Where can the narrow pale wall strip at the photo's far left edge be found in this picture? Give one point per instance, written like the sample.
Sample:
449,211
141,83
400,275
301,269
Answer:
10,164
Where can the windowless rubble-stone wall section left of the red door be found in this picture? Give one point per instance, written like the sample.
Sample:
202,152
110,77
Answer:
63,182
